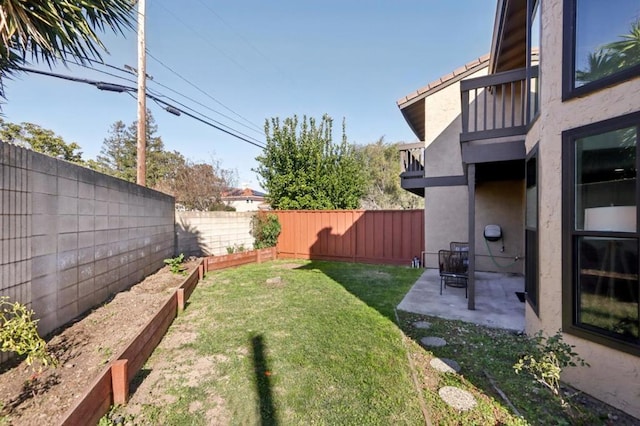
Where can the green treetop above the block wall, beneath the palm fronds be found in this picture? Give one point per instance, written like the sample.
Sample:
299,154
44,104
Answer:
41,140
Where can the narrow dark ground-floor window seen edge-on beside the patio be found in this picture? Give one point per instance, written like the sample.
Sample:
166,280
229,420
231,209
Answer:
531,229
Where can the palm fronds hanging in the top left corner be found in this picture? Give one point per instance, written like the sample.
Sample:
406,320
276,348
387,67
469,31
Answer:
57,30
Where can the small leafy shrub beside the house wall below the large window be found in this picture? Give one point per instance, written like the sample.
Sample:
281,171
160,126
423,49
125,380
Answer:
549,357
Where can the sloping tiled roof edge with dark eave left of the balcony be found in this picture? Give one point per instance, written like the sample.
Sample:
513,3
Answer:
412,107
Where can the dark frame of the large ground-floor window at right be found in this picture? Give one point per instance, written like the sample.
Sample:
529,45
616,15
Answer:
570,235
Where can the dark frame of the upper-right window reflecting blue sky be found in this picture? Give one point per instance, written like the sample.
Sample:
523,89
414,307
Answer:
569,60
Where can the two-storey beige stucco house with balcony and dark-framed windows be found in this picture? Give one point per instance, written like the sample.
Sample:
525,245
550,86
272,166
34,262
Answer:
540,137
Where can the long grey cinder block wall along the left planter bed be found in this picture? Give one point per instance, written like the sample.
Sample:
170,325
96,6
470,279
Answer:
71,237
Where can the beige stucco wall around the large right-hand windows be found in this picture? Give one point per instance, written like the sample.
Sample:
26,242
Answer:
613,376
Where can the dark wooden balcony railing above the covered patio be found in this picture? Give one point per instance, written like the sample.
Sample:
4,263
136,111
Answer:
498,105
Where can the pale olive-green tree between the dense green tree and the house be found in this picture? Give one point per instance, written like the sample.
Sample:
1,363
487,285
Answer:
382,166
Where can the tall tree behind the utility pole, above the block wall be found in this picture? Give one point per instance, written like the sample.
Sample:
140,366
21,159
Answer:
118,156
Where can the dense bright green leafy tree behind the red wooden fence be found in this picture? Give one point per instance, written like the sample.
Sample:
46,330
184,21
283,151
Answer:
302,169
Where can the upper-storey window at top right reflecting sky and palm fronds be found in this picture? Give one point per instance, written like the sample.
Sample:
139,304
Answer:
601,44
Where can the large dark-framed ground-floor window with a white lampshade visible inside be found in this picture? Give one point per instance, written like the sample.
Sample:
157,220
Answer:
600,245
